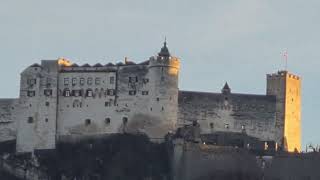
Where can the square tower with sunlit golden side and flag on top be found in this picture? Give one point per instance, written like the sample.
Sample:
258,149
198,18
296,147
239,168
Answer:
287,89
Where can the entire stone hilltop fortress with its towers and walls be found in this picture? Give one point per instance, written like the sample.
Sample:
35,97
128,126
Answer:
59,100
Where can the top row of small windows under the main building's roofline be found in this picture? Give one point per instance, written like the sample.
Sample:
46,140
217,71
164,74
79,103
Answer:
88,81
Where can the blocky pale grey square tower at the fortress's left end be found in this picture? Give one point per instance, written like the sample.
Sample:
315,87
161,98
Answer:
38,107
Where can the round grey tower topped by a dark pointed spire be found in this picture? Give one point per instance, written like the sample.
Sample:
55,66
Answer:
163,72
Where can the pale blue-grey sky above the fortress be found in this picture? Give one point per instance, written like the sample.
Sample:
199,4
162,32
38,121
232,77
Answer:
238,41
